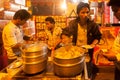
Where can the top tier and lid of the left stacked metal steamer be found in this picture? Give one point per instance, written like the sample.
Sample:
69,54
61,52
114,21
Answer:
34,48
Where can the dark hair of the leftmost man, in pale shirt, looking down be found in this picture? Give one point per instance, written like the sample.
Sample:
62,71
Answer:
22,14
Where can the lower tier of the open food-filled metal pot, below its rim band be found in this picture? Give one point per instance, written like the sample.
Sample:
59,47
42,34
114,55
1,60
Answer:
68,69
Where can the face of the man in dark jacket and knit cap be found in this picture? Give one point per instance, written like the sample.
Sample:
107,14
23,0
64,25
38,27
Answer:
84,13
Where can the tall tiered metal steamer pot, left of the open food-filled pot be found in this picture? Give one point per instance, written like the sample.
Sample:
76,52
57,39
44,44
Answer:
34,58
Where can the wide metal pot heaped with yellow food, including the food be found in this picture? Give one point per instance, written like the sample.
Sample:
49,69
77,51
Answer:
68,61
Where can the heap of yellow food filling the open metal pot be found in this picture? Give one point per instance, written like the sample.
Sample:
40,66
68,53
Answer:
69,52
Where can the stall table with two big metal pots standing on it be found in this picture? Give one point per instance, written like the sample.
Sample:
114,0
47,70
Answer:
57,68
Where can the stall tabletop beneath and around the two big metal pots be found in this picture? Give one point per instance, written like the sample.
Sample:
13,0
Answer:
47,74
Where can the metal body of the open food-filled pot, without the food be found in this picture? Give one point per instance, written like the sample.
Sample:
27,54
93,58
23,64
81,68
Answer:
68,67
